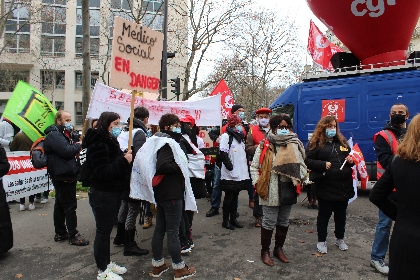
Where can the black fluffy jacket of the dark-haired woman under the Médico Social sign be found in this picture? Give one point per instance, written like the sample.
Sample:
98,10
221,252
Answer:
107,168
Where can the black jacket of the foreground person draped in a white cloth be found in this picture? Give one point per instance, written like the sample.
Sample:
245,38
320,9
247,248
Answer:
172,186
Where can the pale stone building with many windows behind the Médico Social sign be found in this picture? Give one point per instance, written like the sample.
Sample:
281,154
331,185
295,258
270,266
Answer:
42,45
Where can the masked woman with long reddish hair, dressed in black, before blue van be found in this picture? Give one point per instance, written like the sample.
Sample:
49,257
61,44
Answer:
327,151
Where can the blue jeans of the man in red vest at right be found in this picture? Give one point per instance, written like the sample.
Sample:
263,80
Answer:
380,244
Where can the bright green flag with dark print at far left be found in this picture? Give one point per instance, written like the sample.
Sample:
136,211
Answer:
30,110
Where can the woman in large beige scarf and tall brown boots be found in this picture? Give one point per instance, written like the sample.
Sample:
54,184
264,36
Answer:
282,153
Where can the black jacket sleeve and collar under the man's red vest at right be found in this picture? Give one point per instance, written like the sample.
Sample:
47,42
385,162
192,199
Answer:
382,148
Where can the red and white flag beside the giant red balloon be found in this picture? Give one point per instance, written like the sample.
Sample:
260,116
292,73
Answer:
320,48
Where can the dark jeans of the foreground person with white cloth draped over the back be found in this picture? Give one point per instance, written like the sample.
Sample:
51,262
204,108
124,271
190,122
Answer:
168,218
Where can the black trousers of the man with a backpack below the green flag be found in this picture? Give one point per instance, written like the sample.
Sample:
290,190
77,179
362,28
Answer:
65,208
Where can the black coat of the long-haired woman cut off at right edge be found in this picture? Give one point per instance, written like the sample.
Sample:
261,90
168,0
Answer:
404,251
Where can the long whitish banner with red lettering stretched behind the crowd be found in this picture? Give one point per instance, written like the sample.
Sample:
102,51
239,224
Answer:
206,112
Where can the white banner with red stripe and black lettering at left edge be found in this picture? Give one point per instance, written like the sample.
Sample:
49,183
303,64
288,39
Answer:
23,179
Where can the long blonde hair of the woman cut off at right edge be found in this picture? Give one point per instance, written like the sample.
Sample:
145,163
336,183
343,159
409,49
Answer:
409,148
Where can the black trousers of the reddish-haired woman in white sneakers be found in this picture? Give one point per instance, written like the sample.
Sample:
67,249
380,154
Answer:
326,208
